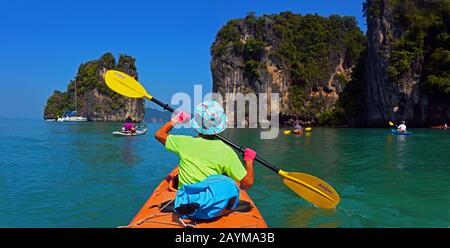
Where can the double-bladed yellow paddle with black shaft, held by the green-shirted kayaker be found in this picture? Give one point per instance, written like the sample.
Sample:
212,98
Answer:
311,188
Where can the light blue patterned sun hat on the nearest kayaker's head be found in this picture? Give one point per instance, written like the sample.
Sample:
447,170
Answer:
209,118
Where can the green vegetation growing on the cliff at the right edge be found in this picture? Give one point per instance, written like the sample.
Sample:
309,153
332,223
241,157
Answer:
424,41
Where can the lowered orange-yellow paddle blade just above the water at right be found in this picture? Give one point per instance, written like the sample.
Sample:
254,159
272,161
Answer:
311,188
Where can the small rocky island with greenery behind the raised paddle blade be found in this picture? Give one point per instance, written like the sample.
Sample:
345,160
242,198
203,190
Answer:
94,99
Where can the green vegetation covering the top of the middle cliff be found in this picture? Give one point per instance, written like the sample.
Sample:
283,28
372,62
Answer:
303,42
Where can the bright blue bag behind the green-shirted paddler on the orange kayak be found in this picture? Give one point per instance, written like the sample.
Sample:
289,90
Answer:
215,196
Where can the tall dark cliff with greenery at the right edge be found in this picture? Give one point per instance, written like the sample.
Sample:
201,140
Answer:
400,71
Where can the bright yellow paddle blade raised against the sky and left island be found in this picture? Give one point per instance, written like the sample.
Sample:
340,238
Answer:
125,85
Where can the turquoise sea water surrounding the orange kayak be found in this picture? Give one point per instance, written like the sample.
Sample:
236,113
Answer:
79,175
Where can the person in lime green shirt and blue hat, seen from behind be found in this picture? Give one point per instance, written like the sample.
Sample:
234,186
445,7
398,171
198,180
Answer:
203,156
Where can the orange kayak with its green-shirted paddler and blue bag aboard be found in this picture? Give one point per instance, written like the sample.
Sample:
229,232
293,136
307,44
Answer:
197,194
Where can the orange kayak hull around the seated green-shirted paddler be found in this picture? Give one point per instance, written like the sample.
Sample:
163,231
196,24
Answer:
152,214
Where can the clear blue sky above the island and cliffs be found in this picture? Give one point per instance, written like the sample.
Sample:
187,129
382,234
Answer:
43,42
